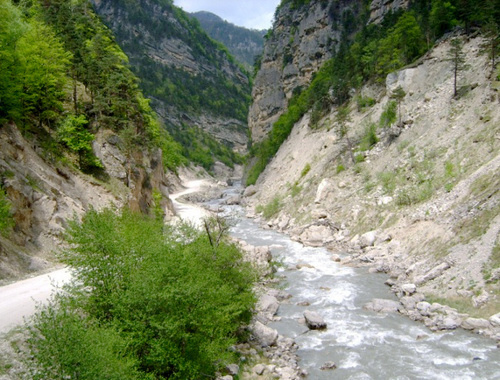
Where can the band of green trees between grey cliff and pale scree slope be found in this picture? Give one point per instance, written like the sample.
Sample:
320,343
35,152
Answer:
373,52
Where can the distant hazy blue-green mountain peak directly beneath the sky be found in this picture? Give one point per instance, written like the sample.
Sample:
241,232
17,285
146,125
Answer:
245,44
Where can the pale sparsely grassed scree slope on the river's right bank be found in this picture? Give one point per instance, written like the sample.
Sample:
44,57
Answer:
422,205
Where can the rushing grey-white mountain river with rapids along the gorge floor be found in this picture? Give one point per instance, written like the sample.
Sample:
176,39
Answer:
363,344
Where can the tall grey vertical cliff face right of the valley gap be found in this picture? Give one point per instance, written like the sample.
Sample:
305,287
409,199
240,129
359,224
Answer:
301,41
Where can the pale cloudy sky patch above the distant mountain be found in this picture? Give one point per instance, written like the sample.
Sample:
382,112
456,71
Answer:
252,14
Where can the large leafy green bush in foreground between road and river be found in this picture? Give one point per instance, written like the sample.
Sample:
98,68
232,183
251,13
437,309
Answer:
148,301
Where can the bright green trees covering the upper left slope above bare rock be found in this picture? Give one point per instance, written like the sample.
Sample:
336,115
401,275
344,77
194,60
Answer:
62,78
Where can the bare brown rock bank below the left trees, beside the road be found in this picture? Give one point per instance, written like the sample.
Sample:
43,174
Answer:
45,196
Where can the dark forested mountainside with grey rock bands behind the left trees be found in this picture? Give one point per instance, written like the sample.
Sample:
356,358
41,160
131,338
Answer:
191,80
